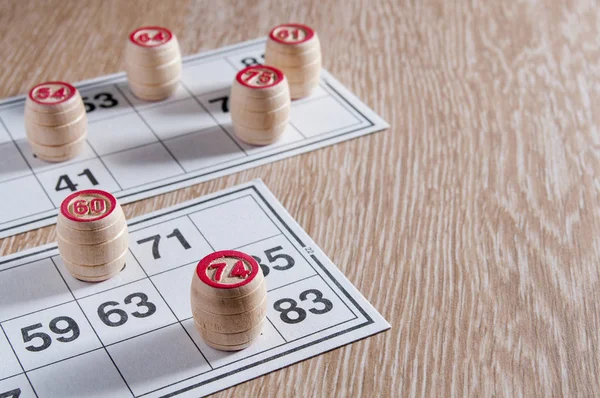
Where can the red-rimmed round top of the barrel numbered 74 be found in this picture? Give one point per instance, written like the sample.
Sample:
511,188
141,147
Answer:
227,269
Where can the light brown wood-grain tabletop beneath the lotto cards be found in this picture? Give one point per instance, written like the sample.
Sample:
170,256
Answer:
472,224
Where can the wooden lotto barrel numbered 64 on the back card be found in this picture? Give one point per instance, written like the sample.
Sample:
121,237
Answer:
153,63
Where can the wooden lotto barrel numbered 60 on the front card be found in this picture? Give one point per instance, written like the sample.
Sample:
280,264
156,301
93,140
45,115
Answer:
92,235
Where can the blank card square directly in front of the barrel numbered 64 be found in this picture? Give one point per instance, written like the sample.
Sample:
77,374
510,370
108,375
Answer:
177,118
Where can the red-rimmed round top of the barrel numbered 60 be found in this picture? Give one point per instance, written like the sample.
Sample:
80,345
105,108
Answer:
88,205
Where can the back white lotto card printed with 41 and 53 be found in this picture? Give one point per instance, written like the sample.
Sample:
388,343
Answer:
138,149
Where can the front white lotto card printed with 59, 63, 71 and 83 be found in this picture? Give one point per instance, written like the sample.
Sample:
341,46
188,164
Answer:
134,334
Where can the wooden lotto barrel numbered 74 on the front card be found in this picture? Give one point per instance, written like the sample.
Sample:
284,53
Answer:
229,300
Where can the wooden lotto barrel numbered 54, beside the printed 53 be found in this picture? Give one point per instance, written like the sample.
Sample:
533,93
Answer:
55,121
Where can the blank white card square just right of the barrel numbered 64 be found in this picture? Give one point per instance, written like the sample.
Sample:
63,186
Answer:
208,76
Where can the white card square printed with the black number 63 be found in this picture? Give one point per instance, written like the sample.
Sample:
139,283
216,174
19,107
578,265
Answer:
126,311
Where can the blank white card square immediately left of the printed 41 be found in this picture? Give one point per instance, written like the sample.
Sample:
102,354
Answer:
22,197
